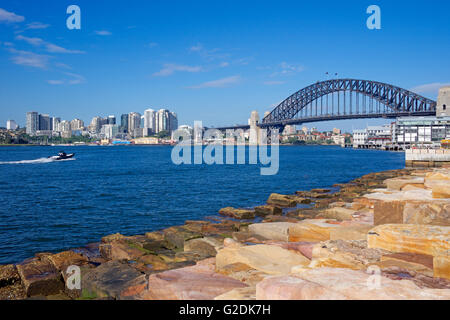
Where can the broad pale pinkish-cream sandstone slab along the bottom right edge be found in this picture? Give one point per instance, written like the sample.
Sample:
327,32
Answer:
342,284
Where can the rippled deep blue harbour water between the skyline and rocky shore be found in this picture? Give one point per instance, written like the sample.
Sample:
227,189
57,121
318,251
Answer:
53,206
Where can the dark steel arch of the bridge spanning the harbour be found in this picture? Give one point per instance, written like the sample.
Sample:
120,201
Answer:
340,99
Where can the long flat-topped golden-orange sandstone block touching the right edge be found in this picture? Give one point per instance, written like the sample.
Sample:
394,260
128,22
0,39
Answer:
422,239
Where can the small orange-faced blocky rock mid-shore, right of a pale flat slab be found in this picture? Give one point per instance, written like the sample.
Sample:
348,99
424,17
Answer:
310,231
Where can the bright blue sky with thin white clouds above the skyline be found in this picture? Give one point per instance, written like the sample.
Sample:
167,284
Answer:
214,61
